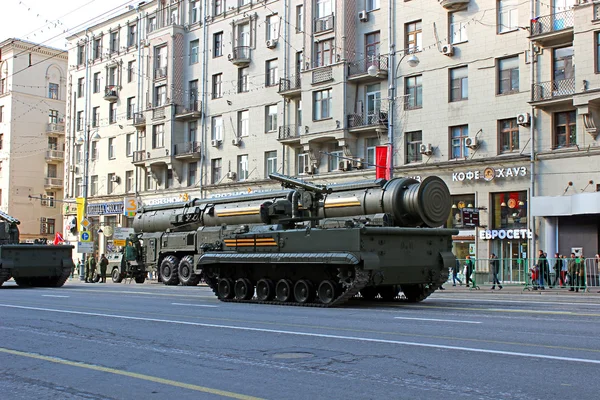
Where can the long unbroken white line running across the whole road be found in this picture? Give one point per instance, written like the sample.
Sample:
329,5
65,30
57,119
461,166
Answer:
318,335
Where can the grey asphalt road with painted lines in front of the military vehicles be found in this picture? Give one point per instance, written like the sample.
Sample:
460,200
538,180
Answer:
108,341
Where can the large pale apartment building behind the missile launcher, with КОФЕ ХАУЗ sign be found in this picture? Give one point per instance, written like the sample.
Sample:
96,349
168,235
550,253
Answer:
228,91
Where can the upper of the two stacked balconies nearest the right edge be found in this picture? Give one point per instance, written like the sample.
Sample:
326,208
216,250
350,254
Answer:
553,29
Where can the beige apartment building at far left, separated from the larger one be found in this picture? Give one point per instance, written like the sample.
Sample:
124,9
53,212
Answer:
32,136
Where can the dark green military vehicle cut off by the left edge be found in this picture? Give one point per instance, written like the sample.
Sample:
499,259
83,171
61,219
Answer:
35,265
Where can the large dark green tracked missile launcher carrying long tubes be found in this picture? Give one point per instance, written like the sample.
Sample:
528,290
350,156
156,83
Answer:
307,244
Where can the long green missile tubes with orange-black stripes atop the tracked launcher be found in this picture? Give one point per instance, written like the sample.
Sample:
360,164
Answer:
409,203
